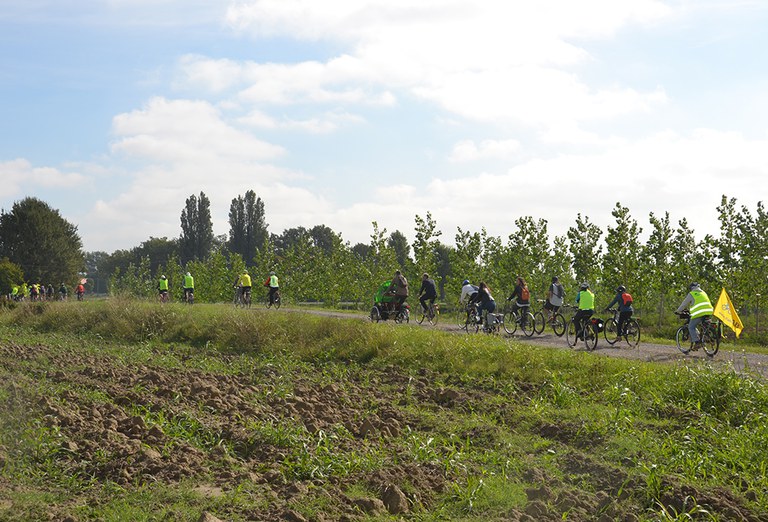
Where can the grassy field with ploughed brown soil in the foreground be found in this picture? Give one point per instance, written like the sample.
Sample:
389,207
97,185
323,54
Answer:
258,402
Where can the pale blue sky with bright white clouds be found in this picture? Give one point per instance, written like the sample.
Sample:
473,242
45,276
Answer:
345,112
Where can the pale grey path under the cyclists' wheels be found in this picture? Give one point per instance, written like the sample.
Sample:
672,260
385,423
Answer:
728,355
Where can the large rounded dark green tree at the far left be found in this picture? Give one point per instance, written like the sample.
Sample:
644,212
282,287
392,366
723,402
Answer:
45,245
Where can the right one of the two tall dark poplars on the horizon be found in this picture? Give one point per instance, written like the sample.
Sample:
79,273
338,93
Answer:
247,225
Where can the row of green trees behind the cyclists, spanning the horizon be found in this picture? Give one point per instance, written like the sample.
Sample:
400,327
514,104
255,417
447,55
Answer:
316,264
